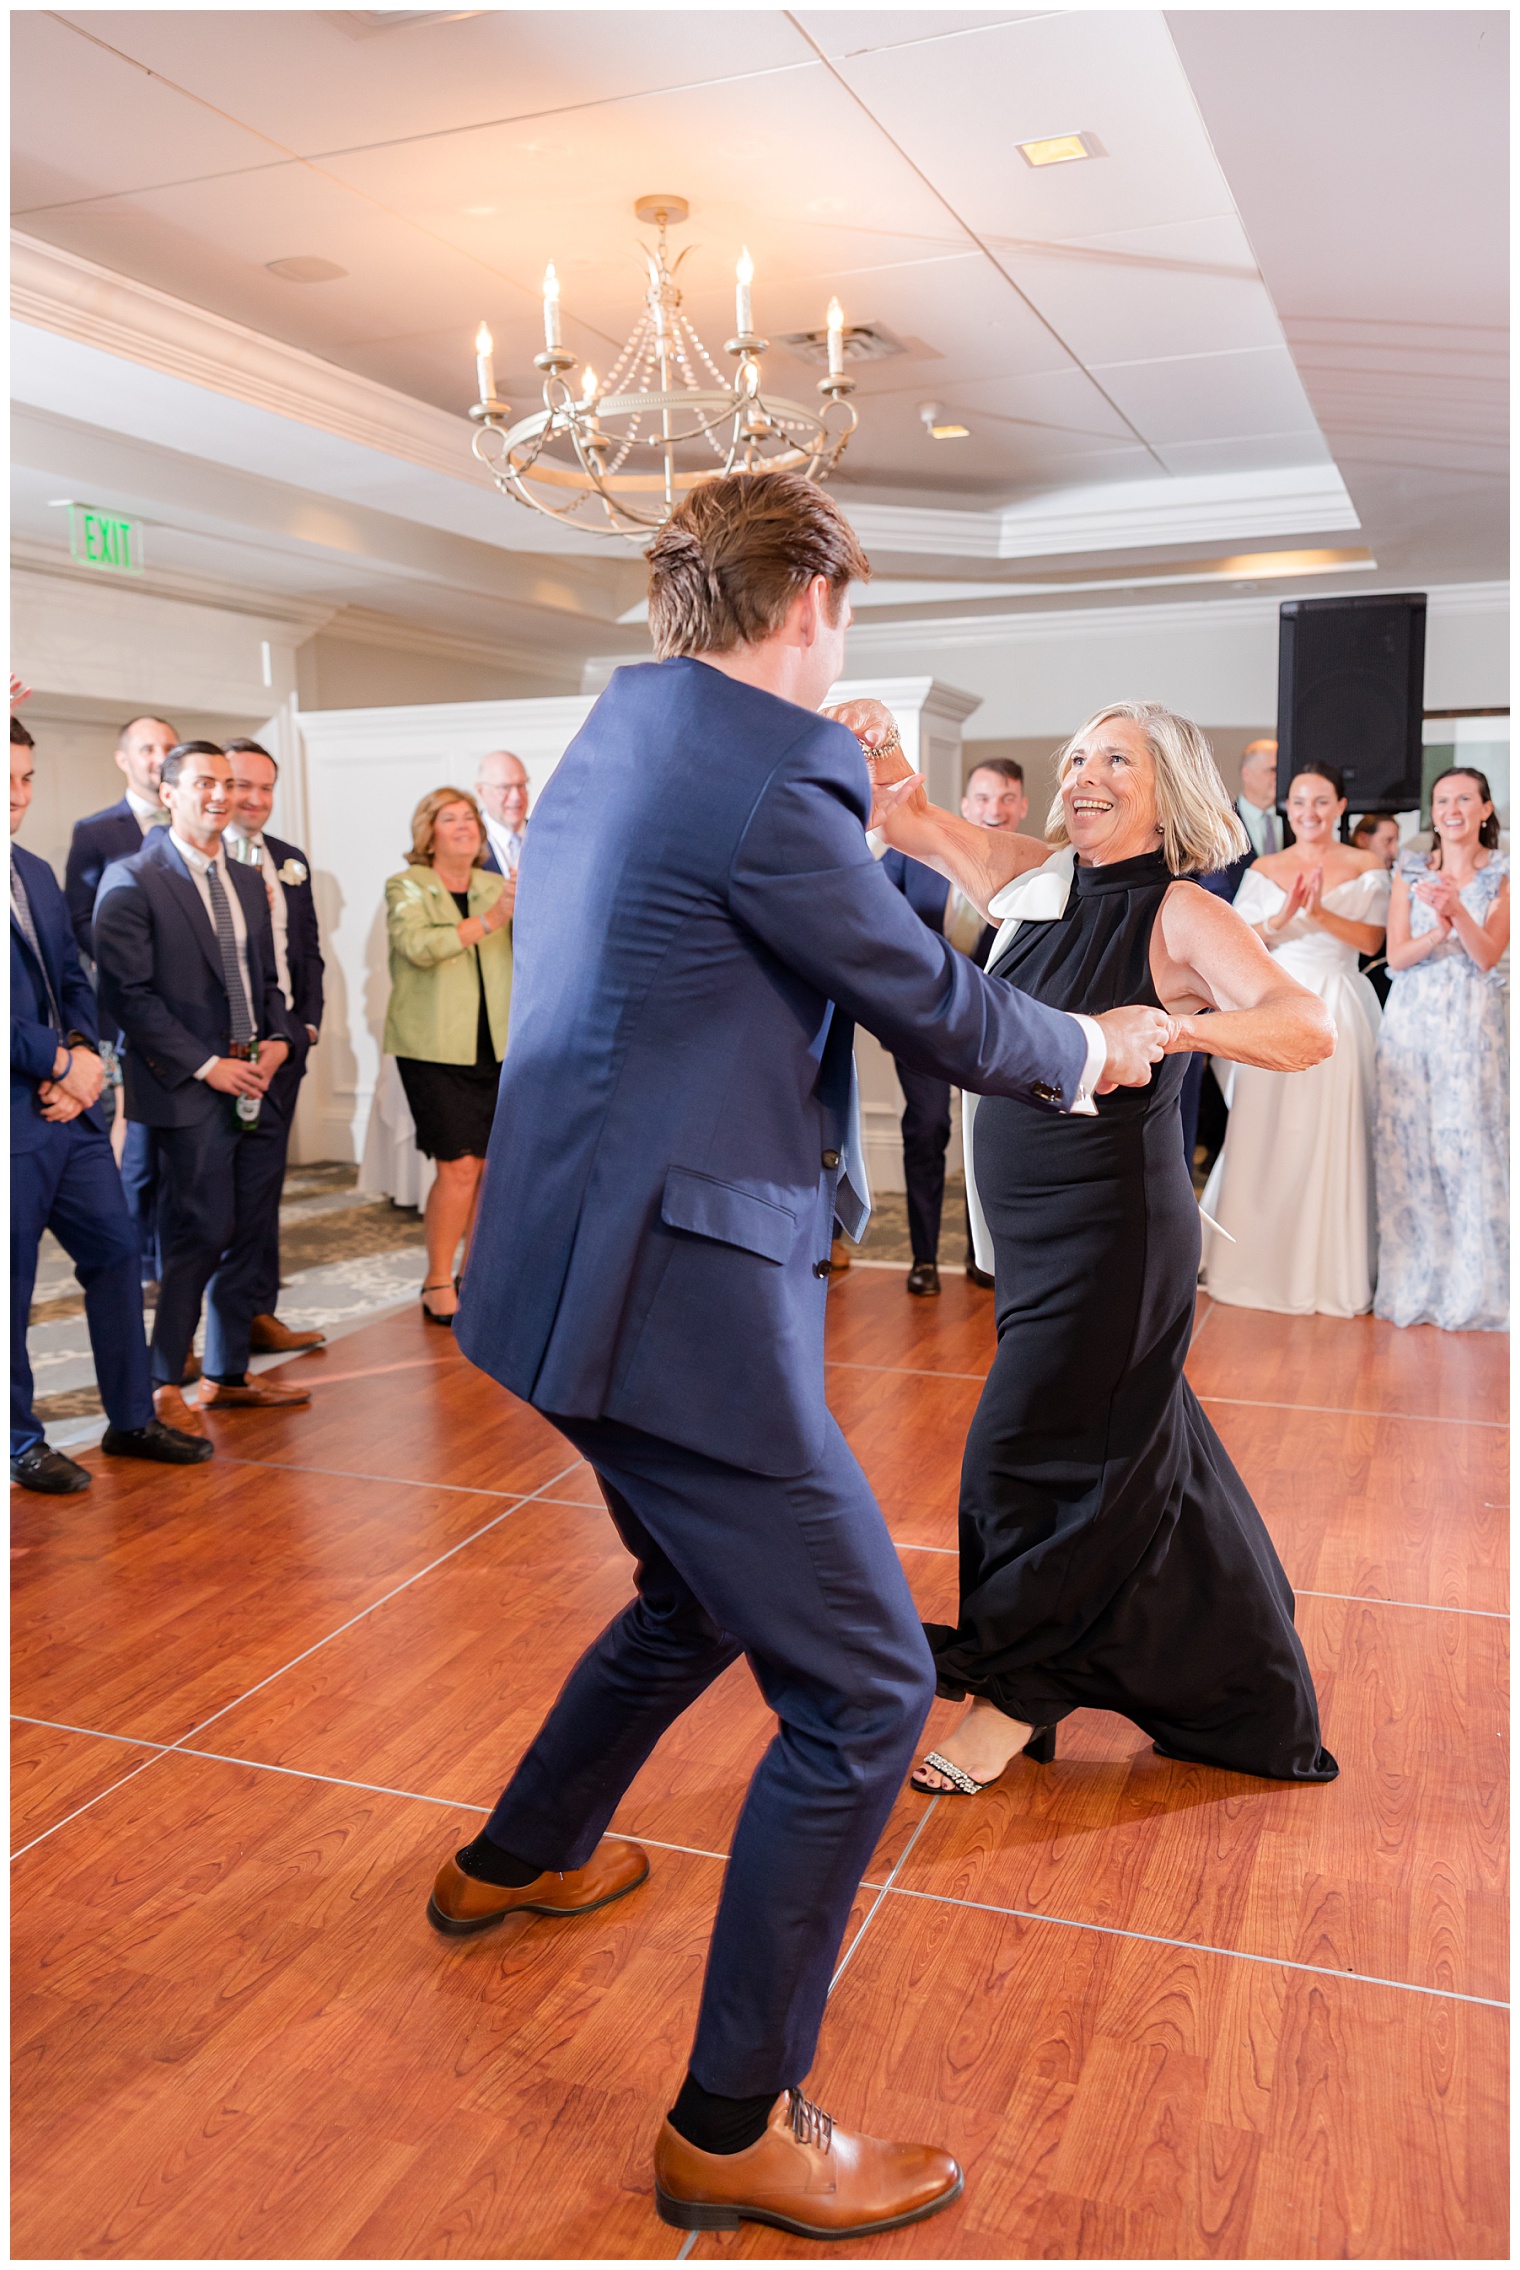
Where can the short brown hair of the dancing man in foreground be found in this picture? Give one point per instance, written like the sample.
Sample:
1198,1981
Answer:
734,557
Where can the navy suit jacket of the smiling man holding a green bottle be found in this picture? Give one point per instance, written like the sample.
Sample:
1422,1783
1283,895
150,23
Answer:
162,980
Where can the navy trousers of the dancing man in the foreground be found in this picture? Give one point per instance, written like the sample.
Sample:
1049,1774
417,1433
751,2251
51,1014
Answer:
802,1579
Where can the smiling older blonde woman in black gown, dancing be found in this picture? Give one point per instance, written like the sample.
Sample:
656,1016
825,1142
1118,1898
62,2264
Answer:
1111,1556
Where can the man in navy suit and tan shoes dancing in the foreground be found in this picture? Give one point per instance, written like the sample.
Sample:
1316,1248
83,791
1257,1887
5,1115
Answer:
698,932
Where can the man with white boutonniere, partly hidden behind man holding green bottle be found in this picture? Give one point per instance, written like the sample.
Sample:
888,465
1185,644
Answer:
298,964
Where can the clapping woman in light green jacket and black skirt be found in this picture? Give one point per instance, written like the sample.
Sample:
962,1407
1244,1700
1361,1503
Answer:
450,991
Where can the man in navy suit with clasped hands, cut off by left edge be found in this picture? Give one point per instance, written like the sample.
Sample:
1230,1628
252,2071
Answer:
65,1179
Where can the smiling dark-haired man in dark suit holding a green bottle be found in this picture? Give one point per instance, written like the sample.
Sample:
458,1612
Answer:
187,968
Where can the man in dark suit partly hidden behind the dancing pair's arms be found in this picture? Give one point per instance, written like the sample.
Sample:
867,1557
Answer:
995,798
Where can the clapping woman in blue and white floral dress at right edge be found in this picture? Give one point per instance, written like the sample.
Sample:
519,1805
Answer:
1444,1075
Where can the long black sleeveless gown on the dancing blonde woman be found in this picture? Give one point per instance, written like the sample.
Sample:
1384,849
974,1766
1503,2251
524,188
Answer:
1111,1556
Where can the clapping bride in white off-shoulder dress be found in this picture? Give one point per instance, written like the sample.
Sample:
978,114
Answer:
1294,1182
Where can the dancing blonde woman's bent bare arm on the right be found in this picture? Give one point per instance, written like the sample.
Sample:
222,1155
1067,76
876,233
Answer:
1206,959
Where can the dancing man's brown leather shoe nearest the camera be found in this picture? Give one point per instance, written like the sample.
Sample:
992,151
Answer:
804,2176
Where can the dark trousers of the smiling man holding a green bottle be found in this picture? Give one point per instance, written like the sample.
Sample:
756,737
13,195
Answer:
217,1188
